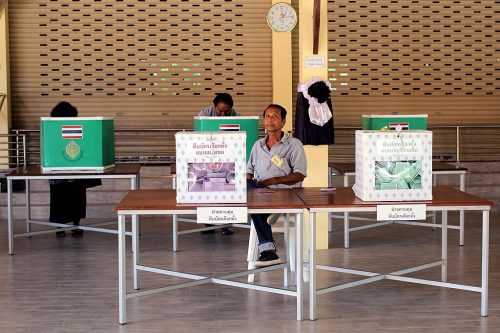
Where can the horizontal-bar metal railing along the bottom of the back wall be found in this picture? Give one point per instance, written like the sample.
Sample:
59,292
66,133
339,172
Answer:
157,145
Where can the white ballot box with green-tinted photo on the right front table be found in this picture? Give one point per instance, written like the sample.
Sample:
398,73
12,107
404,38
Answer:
393,166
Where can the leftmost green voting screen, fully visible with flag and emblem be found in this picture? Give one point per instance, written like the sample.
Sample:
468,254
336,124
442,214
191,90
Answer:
77,144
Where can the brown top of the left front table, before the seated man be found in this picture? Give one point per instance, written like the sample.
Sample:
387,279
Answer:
262,198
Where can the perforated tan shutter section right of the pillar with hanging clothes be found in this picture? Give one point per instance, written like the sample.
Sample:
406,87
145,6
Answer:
437,57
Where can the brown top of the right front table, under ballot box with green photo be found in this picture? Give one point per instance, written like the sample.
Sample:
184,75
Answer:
343,197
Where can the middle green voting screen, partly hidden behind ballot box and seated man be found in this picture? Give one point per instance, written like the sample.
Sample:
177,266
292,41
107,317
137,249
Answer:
250,125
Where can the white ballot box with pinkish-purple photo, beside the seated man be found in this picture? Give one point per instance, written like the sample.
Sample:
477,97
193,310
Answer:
211,167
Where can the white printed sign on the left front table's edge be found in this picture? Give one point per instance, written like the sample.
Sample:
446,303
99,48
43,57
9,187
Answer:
221,215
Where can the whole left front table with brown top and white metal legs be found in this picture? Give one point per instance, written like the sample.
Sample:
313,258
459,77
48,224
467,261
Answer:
163,202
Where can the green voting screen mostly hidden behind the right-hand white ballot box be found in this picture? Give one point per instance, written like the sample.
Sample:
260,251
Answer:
394,122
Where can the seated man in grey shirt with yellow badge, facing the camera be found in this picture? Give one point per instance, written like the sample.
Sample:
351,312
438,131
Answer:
276,161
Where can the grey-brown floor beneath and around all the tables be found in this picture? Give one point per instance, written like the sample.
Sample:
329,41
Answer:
70,285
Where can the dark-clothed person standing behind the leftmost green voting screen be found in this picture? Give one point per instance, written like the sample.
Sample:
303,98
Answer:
68,198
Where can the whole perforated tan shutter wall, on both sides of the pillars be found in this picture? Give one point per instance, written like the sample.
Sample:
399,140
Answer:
154,64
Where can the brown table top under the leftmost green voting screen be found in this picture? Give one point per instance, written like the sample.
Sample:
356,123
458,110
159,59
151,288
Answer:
36,171
